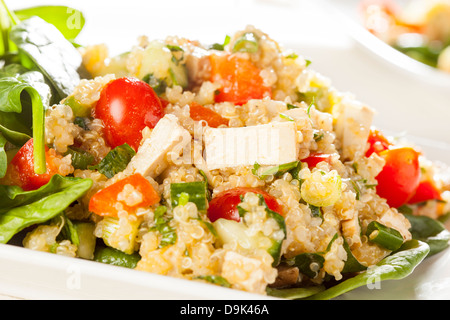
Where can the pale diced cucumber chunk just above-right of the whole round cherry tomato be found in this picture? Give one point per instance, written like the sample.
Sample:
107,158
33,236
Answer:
159,61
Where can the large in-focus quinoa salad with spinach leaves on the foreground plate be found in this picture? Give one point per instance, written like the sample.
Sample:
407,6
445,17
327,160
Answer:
234,164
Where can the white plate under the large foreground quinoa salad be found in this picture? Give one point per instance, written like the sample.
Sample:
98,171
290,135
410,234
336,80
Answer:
404,104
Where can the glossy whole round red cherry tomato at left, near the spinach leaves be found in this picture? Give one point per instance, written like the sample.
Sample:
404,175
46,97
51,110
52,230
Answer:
126,106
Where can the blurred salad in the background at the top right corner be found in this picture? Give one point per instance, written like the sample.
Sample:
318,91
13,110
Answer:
418,28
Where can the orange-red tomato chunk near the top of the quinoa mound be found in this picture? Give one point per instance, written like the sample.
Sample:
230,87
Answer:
239,77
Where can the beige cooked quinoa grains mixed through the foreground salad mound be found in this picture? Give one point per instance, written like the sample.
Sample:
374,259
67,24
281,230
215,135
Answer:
324,207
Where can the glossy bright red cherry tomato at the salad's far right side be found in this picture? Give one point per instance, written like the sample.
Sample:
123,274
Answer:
400,176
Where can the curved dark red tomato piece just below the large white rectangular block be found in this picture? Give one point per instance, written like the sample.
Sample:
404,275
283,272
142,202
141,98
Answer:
224,205
